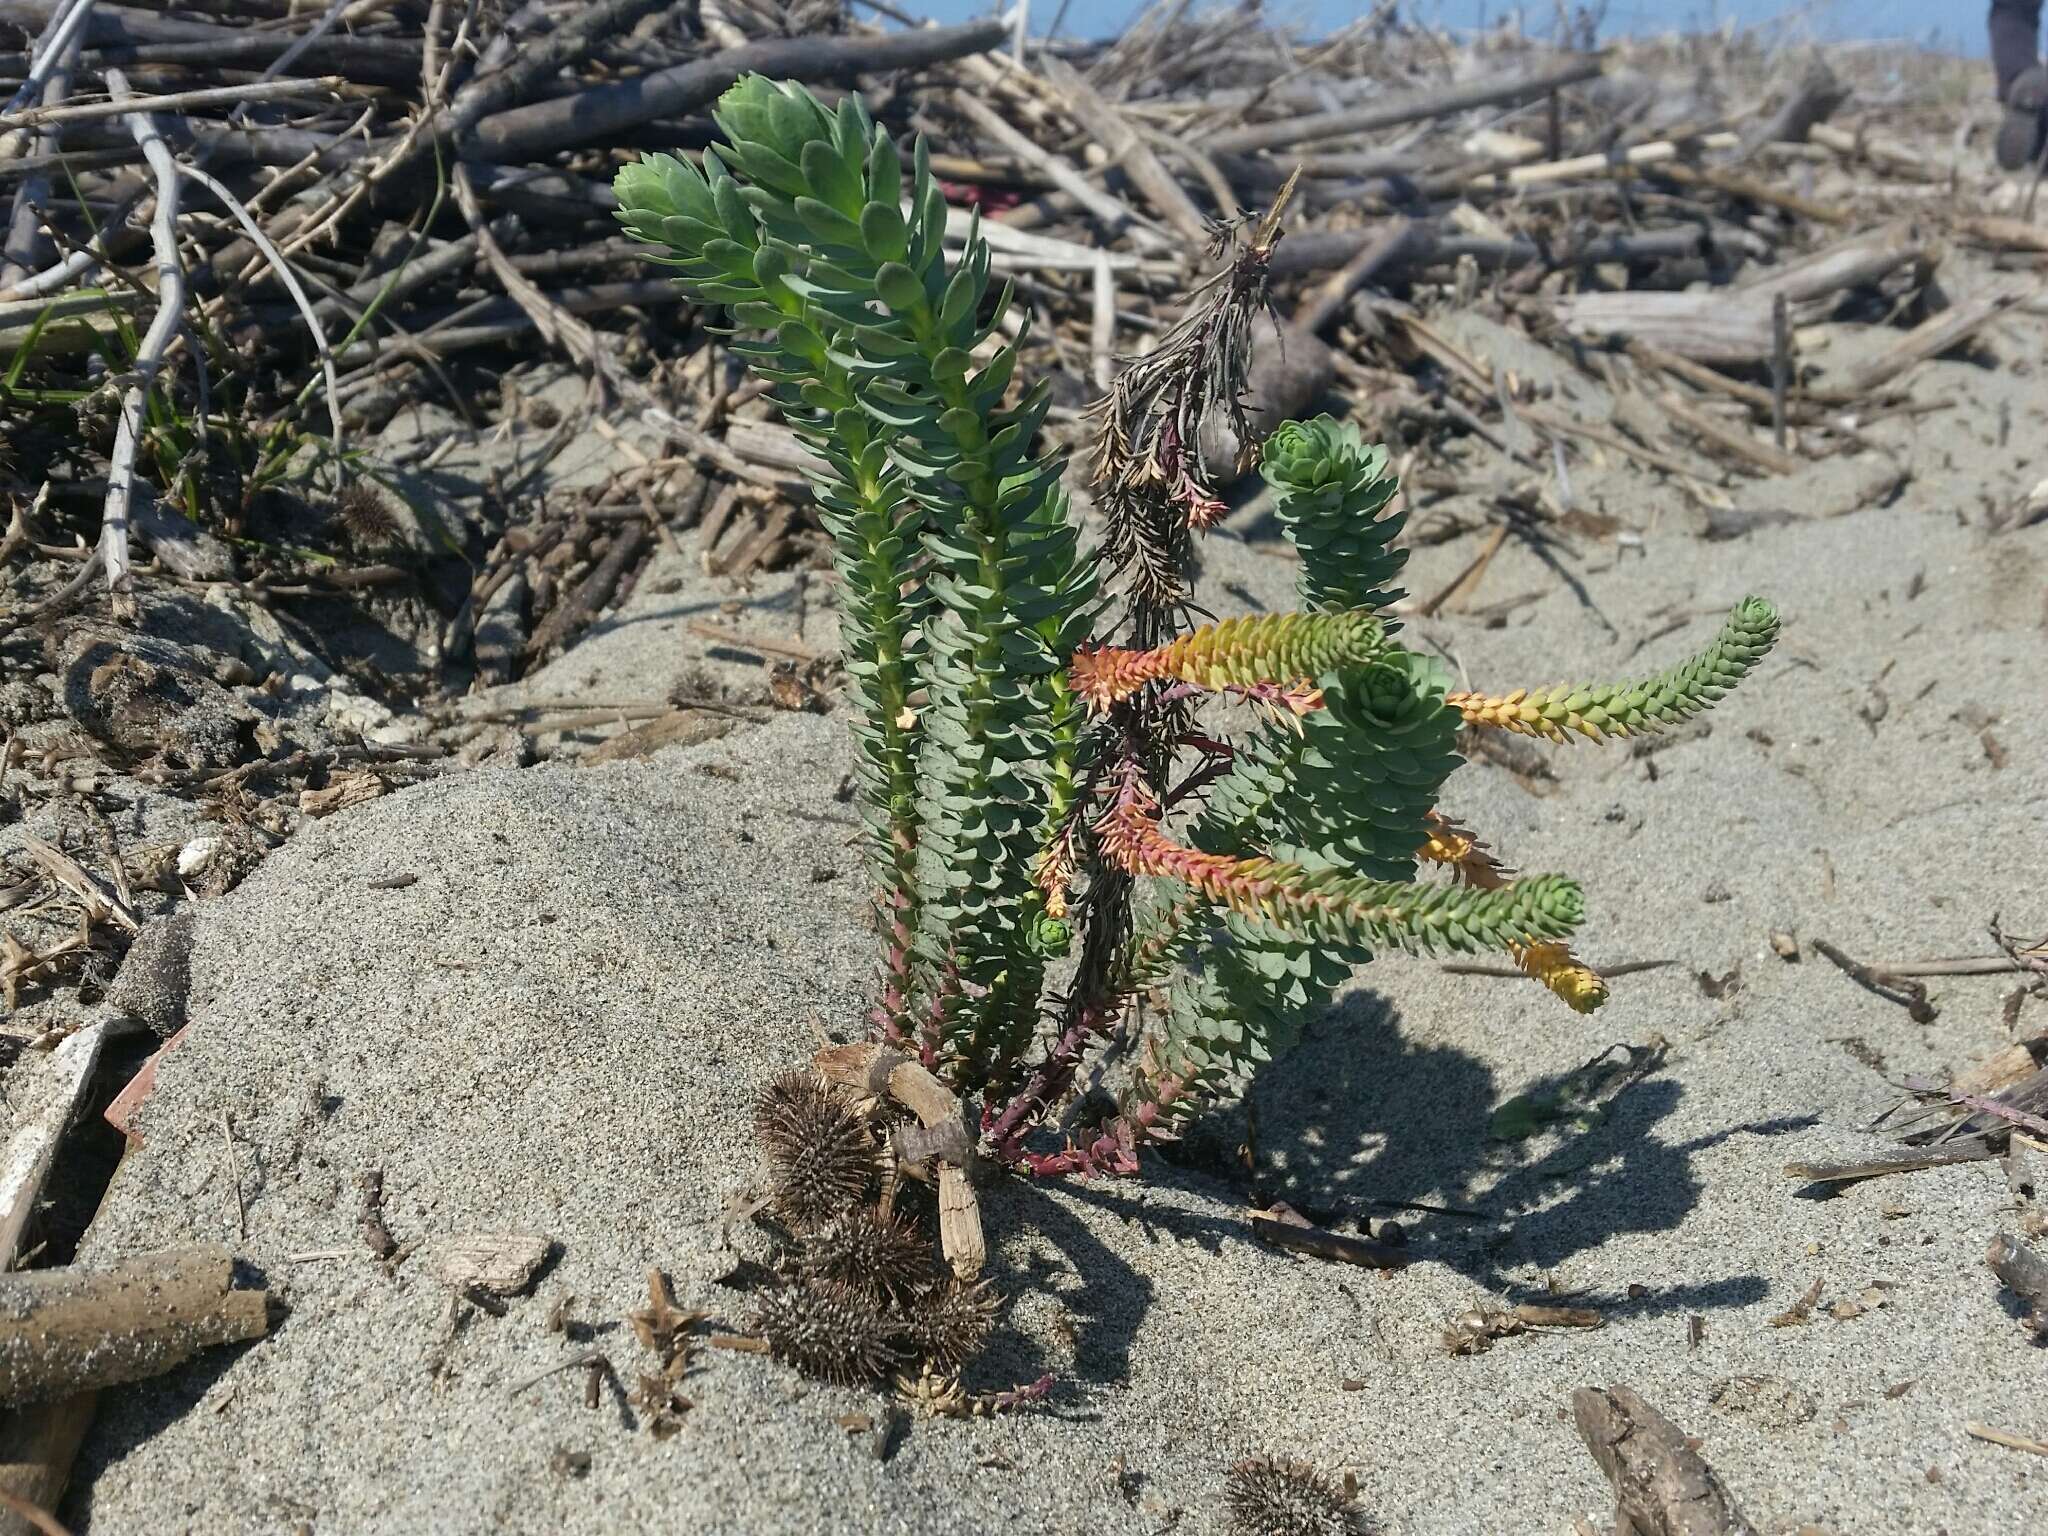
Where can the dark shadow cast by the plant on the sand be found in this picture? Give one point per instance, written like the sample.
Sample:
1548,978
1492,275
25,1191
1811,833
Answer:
1367,1121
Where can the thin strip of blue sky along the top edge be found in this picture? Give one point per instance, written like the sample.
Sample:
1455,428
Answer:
1959,30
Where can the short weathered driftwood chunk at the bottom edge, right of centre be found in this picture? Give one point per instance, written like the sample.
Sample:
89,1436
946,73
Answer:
1662,1486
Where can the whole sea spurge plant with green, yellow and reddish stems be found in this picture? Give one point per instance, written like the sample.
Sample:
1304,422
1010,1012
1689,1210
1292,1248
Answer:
1035,773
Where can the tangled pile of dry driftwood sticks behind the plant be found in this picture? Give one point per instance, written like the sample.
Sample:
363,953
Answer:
243,237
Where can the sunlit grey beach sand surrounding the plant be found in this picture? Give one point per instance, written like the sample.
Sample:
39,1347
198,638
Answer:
560,1025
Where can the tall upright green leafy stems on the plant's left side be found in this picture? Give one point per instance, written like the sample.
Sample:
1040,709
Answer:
886,359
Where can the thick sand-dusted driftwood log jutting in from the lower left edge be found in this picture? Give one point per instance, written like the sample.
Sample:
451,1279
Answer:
73,1330
